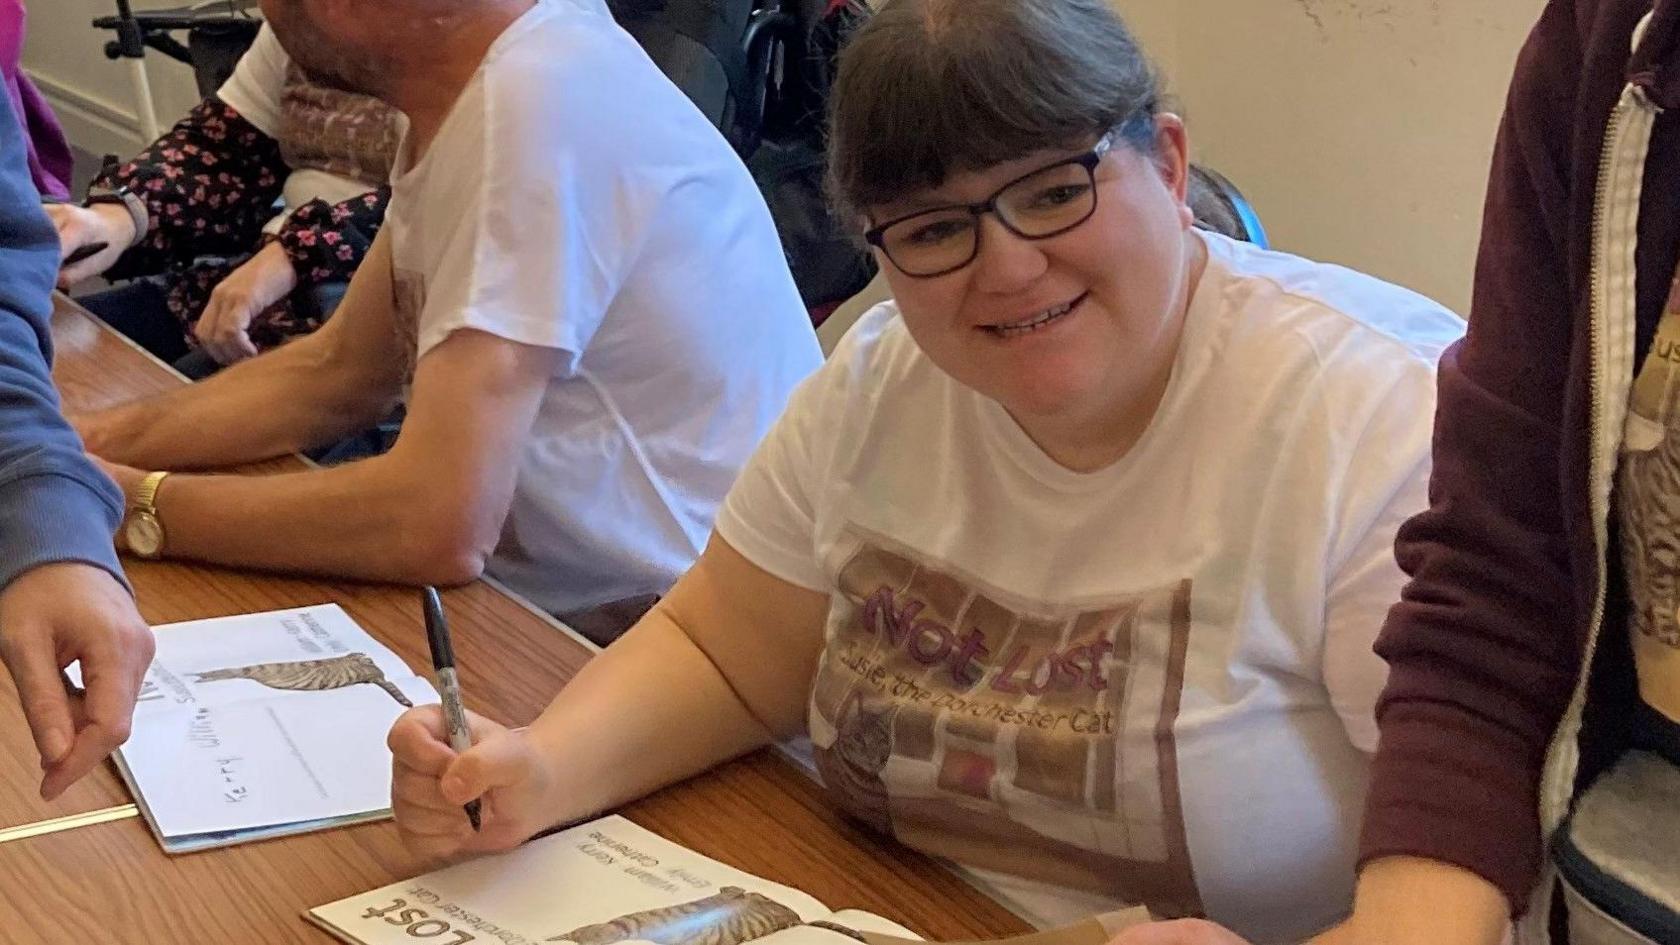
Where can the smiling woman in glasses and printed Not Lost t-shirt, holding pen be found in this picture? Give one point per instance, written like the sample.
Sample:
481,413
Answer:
1071,559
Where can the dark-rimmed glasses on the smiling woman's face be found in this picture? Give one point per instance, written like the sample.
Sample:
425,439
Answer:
1039,204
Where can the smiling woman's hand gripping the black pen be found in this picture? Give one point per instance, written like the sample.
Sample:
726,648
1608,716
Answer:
505,769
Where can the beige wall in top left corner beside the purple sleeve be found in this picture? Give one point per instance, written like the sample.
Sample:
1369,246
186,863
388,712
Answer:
95,97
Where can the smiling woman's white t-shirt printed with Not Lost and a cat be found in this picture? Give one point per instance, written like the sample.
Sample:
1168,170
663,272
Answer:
1152,684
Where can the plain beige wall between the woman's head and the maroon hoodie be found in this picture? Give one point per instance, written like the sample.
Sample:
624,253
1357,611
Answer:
1360,129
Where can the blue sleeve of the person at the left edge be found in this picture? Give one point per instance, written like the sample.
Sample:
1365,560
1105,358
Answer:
55,504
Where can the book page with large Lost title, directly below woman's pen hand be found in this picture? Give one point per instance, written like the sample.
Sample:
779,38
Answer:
592,885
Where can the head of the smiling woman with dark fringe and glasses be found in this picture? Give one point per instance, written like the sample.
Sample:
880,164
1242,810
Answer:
999,159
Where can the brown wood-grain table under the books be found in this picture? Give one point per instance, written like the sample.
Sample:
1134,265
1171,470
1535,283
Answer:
112,884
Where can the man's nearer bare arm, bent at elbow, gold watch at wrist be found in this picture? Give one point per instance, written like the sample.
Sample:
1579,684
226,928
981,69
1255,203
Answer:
429,512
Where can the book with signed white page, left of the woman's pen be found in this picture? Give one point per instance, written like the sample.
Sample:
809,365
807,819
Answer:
265,726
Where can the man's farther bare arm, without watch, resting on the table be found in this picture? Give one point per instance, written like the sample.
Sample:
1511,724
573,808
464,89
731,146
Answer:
315,391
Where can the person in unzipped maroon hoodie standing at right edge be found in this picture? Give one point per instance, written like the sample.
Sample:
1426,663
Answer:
1538,645
